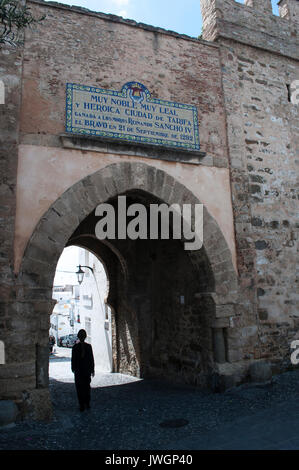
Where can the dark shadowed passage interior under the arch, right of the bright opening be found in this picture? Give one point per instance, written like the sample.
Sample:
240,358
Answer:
159,328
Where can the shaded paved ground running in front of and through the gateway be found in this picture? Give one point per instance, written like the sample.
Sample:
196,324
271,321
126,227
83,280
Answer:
132,414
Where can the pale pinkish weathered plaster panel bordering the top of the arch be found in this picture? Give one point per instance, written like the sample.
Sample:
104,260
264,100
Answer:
36,191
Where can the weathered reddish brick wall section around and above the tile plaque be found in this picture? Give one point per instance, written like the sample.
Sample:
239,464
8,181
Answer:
78,46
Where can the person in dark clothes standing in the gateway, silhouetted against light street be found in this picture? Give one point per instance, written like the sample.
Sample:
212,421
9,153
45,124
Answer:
83,368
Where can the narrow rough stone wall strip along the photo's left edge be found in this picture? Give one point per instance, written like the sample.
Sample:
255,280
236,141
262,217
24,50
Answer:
13,377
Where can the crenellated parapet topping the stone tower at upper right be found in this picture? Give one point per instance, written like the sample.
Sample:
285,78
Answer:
254,23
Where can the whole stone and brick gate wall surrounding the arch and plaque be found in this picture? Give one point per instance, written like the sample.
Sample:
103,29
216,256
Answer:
249,131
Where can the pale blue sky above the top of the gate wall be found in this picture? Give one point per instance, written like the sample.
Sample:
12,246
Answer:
184,17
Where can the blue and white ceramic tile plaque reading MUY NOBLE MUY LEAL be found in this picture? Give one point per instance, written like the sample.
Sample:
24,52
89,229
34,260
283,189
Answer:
131,115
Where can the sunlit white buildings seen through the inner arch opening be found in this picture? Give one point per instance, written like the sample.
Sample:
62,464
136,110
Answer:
83,305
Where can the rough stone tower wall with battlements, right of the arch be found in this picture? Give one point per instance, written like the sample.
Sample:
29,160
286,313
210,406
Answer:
259,55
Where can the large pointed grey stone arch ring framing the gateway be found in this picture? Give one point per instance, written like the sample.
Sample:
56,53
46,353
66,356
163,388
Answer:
55,229
